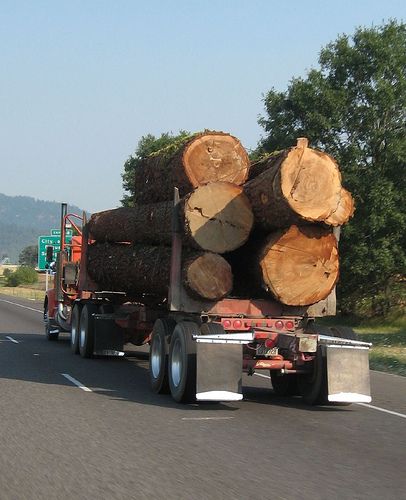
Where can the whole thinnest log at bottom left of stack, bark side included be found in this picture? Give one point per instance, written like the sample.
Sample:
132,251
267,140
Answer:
142,269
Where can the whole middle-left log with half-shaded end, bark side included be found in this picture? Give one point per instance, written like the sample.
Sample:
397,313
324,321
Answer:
216,217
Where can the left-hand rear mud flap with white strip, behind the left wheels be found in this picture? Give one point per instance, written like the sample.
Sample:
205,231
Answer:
219,371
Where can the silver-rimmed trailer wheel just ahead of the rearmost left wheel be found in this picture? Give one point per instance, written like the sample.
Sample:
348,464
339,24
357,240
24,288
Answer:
158,357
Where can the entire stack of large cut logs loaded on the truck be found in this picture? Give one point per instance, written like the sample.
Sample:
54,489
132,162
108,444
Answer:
248,229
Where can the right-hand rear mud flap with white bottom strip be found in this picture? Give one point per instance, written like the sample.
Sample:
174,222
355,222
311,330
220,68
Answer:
348,374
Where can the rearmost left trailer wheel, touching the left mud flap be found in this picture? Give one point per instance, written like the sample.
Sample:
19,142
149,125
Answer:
182,362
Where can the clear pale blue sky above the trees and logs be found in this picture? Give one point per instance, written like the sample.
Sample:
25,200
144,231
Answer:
82,81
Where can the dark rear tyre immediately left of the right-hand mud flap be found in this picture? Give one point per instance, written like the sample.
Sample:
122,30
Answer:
313,387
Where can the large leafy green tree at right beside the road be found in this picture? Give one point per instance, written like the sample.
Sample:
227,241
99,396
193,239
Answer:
354,107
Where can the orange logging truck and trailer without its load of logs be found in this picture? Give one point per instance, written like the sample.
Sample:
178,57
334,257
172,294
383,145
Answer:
199,349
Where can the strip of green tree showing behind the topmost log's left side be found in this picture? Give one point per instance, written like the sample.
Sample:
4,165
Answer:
147,145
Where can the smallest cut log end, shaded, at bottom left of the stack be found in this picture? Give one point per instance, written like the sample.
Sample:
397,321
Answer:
208,276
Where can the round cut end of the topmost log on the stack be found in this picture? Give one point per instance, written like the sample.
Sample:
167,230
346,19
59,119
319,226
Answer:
215,156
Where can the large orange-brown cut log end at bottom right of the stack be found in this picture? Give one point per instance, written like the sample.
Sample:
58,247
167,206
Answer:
300,265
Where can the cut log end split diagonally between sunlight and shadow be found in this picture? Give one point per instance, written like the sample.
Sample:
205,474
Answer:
218,217
